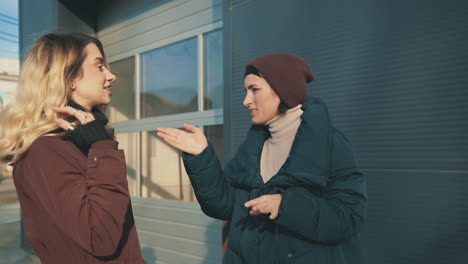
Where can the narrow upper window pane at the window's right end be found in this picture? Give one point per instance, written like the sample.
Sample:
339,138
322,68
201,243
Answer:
213,97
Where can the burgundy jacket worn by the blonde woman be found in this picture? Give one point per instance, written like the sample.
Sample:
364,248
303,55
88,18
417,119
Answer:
76,209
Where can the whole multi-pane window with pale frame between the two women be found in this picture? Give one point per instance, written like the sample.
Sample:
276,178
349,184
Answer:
166,87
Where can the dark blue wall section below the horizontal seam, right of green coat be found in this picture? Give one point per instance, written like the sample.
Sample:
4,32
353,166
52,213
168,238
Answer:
417,217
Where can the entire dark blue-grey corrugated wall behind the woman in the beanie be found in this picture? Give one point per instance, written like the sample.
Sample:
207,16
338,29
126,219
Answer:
395,77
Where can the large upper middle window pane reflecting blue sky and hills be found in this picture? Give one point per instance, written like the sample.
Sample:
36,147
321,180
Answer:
170,79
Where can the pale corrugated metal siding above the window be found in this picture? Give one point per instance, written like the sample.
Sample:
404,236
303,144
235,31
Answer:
159,25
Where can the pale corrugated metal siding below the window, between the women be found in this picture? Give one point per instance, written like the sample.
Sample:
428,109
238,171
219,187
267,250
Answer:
176,232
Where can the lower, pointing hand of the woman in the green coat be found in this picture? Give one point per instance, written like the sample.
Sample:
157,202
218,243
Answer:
265,204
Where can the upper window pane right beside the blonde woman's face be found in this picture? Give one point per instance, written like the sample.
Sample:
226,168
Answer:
122,106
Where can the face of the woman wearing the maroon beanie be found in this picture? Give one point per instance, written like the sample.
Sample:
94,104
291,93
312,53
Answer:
261,99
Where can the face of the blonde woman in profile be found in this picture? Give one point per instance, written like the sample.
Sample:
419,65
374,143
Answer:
93,87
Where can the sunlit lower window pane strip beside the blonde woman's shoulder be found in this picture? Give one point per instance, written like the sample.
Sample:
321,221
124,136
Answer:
128,142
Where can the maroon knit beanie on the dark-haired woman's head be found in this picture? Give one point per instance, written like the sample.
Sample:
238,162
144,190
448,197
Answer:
287,74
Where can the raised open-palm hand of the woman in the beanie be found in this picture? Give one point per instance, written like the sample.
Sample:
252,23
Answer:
191,141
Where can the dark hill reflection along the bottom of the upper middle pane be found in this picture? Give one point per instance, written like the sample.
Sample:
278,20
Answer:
156,105
